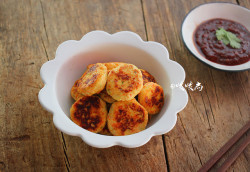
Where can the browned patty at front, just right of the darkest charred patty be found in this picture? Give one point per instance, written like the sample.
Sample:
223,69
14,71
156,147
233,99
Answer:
127,117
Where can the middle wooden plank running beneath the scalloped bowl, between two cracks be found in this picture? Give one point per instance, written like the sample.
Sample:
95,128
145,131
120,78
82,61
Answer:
111,16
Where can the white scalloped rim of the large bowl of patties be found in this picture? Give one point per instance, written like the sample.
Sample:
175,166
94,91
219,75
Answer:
47,95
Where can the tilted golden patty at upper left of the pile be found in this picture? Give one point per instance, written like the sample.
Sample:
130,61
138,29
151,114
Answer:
93,80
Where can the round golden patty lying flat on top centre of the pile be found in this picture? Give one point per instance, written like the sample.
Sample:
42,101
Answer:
124,82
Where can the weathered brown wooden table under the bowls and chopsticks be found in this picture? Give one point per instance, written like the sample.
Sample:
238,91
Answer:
31,30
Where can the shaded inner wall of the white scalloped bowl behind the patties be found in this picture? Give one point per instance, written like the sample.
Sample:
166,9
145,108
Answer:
74,67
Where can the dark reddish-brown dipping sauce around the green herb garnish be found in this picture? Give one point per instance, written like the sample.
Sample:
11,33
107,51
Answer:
215,50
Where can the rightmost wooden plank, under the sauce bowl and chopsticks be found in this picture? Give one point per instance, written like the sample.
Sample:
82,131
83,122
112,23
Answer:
213,115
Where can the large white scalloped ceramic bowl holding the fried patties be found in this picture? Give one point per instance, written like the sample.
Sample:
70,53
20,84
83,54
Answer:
72,58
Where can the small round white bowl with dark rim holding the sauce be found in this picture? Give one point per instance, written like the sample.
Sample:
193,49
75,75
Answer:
209,11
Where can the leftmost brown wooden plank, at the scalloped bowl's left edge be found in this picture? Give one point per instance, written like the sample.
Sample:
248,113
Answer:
28,138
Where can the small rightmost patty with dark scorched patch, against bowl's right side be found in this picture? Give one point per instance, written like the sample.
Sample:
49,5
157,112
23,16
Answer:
151,97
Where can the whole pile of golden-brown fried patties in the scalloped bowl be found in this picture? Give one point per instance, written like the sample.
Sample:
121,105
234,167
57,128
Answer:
105,100
